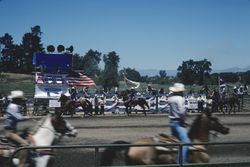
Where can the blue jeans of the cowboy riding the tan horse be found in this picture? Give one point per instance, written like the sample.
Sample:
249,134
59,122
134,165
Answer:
181,133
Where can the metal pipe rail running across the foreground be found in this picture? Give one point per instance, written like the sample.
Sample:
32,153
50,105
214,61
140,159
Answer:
97,152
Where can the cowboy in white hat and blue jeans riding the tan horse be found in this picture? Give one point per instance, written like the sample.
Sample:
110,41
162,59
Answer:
177,115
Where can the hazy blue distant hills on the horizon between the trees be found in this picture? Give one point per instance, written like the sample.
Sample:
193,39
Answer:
154,72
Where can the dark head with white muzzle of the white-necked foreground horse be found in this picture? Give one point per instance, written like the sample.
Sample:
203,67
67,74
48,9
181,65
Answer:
62,126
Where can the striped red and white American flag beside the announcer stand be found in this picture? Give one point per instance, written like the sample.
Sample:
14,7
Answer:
78,79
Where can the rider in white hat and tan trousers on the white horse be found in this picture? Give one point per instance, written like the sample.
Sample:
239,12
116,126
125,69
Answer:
13,116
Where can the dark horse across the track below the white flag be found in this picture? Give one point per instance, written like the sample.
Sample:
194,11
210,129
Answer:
131,103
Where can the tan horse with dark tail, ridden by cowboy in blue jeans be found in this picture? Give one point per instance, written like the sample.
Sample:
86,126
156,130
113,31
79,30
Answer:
151,155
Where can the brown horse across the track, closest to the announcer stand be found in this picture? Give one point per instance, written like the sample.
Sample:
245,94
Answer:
69,106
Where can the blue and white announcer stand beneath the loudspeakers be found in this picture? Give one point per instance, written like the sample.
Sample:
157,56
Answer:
50,80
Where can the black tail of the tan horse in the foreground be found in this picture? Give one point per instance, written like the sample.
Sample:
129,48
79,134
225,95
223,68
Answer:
109,154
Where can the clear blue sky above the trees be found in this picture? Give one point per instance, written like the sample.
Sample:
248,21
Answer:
146,34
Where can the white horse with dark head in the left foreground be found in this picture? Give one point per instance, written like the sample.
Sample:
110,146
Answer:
46,133
